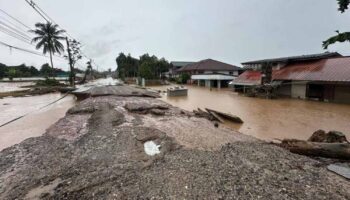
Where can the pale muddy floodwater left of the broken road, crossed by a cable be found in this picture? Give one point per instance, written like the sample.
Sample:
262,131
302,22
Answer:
38,116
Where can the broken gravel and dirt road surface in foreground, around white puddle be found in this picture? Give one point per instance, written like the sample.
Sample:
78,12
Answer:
97,152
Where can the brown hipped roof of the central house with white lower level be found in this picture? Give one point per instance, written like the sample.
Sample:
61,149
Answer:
210,65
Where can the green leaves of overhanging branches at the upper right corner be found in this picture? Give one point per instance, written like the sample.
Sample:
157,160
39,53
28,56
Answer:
341,37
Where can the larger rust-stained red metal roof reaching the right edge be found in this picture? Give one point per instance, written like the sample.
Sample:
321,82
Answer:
333,69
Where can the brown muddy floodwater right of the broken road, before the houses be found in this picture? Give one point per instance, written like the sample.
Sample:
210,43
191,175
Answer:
267,119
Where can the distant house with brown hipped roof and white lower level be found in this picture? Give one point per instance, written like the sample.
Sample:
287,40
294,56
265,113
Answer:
211,73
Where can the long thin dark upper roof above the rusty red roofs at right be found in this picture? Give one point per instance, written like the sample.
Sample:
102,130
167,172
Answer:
296,58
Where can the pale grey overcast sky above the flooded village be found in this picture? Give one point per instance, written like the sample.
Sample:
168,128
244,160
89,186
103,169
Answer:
231,31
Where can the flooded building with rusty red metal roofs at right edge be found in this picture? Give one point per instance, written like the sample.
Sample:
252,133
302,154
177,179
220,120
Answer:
323,77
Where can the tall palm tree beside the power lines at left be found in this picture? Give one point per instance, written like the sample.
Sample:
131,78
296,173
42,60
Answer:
48,38
